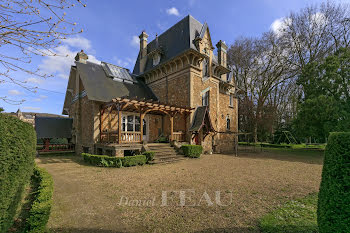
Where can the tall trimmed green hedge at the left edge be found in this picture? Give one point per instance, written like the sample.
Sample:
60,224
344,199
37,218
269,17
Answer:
17,153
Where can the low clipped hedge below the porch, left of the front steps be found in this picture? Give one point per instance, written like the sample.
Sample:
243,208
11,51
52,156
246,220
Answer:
107,161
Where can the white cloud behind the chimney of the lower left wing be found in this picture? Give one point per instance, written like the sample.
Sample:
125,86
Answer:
60,64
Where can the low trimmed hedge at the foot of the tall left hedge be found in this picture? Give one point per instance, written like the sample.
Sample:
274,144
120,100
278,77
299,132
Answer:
40,210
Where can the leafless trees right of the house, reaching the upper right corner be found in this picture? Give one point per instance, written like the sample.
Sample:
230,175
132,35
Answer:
267,68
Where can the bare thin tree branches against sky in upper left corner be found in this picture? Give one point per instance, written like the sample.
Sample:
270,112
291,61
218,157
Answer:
30,28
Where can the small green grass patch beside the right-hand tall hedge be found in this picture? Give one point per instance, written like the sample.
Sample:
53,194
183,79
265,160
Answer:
293,217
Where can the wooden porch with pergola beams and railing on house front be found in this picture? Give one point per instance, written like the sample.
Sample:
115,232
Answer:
127,121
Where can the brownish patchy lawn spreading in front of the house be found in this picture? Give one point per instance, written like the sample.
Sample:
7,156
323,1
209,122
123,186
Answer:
93,199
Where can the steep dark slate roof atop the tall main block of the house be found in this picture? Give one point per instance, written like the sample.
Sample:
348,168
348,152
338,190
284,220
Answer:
174,41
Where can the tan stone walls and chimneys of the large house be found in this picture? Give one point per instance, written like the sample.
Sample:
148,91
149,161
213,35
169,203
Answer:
184,80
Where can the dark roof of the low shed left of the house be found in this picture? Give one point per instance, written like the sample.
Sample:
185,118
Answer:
53,127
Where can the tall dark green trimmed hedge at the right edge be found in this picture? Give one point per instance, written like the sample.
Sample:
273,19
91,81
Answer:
334,197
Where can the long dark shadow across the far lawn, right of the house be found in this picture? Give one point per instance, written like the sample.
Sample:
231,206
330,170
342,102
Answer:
309,157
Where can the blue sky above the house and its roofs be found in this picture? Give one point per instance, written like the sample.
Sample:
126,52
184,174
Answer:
110,34
